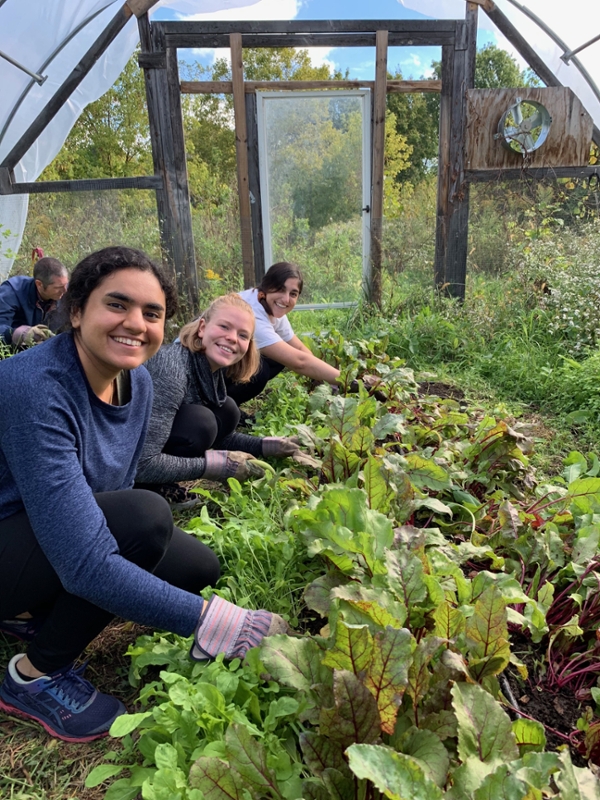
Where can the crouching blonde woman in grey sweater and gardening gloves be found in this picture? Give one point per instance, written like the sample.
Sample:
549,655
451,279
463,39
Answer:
191,431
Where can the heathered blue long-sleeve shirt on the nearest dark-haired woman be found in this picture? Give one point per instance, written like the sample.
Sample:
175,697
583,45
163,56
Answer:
59,443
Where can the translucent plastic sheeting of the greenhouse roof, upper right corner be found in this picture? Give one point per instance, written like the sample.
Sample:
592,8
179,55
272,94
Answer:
575,23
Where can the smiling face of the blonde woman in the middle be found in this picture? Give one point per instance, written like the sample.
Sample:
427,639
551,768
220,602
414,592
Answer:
226,336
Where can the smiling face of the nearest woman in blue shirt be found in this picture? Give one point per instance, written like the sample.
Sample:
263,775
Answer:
121,327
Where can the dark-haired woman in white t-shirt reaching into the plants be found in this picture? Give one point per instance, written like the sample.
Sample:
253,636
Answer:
271,301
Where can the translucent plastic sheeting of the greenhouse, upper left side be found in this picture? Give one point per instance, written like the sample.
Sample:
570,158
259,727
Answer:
49,39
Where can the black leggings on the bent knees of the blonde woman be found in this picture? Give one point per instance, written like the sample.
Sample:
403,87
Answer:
197,428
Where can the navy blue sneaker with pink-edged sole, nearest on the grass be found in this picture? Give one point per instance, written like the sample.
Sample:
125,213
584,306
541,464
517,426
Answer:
64,702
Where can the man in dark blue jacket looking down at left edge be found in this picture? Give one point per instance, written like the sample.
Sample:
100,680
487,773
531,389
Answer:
27,304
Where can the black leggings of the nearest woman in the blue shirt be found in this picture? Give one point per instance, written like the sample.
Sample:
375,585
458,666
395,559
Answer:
142,525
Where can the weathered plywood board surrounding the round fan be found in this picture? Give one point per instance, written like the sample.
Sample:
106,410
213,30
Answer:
568,142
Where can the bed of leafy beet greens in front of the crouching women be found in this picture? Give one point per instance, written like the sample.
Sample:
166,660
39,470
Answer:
419,589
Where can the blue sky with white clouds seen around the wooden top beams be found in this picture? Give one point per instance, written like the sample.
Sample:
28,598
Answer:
412,62
